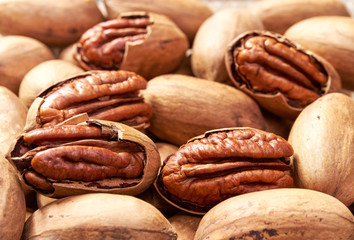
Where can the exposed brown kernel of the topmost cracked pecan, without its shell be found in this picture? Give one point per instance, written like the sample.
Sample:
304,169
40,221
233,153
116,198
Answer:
103,46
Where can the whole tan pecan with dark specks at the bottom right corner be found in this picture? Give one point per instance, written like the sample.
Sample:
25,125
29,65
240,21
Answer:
287,213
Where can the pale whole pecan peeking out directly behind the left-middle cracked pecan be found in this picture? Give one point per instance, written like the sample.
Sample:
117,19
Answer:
43,76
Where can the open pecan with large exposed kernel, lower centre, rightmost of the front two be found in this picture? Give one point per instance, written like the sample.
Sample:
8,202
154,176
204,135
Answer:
223,163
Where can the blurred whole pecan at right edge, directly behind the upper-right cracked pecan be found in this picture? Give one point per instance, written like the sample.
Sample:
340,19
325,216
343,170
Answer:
331,37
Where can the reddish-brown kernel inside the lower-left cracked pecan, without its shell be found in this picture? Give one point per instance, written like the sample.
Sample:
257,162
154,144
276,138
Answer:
77,153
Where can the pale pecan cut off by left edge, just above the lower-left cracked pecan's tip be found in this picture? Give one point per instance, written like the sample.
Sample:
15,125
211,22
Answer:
12,117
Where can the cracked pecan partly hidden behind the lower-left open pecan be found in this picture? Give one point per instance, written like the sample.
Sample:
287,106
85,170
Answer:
103,95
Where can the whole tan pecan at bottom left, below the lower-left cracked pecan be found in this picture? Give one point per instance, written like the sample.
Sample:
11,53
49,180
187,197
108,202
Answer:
98,216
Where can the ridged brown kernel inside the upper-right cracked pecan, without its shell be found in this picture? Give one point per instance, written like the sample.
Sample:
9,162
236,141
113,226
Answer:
267,63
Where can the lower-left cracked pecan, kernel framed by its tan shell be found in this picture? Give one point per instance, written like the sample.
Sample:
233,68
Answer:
95,156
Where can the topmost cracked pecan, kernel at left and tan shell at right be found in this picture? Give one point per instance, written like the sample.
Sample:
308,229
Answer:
145,43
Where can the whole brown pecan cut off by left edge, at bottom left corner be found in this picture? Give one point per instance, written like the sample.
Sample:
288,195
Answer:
12,202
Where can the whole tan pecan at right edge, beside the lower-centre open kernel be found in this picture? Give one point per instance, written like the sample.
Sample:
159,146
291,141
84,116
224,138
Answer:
323,141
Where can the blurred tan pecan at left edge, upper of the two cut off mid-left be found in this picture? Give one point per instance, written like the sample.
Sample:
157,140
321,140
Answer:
19,54
